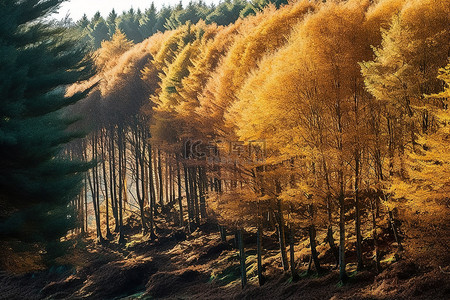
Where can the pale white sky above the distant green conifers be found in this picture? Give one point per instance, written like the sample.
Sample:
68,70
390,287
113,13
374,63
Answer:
76,8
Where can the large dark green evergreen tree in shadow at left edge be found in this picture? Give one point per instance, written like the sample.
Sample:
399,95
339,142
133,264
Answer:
37,181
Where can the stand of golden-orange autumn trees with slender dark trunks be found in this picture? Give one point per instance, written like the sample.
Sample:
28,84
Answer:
308,117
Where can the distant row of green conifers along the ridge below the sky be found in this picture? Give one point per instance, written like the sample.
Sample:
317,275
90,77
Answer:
138,25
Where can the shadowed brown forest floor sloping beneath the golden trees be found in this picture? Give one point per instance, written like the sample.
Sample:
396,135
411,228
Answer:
200,266
